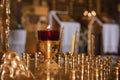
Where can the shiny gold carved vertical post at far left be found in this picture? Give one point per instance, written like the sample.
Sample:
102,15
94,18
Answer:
5,23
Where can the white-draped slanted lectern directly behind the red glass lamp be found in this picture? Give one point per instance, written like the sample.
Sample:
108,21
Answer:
62,19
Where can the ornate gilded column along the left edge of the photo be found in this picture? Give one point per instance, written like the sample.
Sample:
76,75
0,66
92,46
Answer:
4,26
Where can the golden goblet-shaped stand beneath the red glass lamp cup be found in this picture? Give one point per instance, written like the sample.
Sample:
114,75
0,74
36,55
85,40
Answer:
49,49
